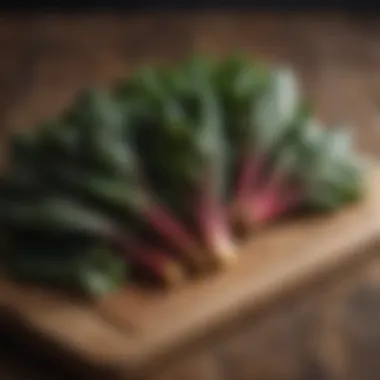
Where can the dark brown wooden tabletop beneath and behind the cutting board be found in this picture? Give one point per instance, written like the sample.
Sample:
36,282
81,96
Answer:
332,334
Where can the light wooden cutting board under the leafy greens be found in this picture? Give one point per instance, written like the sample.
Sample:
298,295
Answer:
132,330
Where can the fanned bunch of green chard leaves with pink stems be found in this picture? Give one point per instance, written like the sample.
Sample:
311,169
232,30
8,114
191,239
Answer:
156,176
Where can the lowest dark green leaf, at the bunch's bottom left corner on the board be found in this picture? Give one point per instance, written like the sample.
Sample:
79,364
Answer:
92,270
